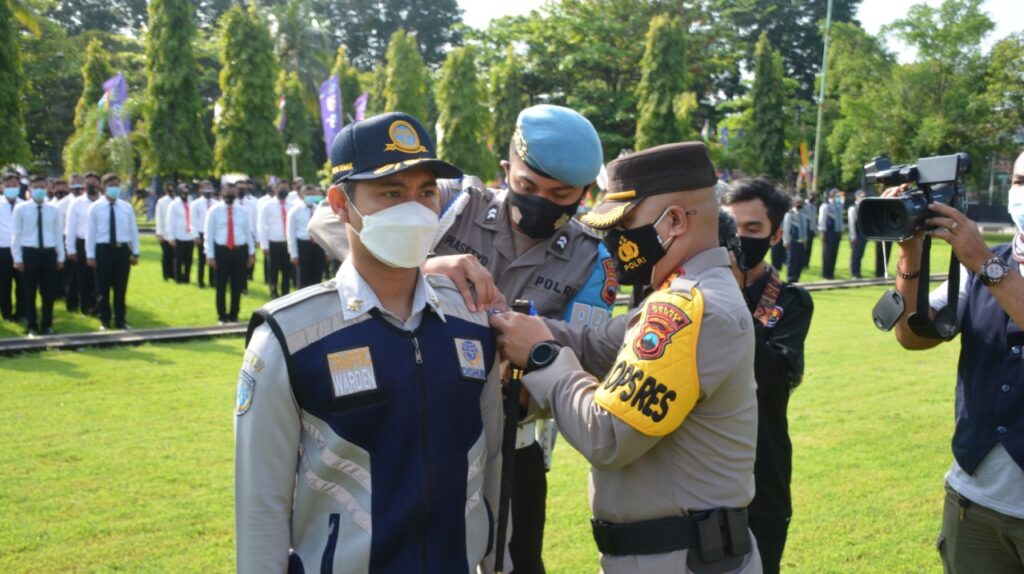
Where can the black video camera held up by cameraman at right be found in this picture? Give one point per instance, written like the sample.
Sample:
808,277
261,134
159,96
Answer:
937,181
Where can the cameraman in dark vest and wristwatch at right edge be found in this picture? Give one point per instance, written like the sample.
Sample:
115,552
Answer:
984,515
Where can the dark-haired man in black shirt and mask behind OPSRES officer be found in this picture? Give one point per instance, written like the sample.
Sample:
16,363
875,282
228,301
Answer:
782,318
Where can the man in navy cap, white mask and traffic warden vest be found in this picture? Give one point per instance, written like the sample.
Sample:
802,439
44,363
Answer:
374,445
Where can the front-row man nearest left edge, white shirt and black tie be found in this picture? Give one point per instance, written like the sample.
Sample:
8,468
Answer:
37,248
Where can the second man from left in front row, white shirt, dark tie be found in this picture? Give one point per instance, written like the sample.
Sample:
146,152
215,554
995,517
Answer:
112,248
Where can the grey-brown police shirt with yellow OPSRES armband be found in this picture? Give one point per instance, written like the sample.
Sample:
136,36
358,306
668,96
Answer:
673,426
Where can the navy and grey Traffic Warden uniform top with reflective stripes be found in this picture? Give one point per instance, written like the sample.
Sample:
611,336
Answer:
365,447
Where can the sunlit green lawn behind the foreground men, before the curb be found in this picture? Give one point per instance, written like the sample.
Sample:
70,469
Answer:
121,461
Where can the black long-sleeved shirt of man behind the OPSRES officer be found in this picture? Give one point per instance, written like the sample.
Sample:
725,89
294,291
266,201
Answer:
779,369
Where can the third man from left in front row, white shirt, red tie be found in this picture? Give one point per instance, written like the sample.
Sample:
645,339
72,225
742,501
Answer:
230,250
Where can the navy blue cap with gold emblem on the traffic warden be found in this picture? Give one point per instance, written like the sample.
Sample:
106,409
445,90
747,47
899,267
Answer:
383,146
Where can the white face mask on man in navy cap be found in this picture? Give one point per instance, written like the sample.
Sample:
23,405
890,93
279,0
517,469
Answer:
401,236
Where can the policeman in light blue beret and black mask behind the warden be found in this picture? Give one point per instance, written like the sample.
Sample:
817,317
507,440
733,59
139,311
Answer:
524,243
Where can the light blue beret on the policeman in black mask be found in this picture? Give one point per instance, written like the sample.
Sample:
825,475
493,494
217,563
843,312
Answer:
559,143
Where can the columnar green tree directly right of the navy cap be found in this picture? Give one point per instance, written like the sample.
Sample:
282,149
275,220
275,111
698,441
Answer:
463,116
